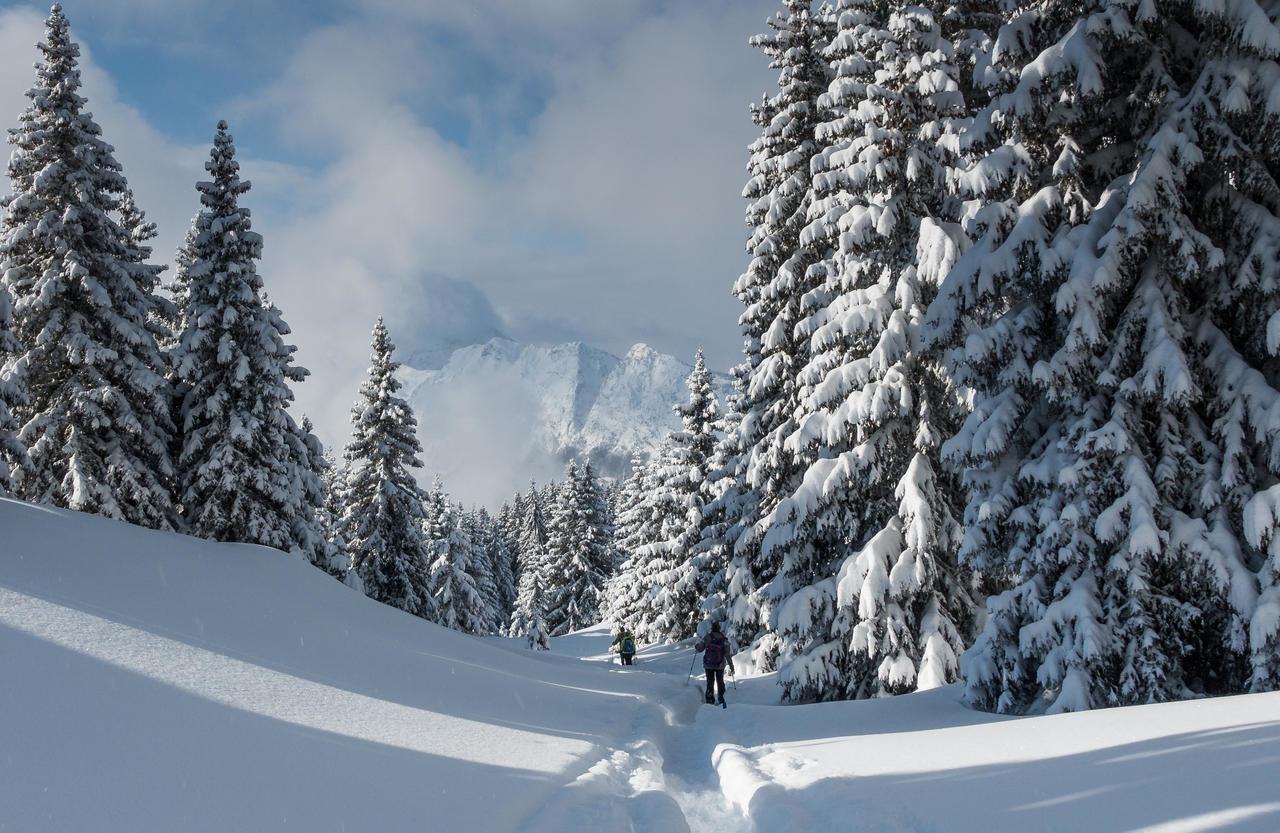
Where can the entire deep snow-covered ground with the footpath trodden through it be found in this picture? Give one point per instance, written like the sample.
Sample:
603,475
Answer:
157,683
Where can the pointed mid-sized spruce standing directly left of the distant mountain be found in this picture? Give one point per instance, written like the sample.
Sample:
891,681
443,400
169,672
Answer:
382,504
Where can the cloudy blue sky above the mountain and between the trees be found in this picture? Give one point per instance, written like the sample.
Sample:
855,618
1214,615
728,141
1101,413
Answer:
552,171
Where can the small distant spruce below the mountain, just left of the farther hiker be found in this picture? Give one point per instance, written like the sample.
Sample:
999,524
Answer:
577,557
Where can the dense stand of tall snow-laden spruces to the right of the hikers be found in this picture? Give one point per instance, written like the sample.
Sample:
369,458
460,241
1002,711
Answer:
1009,388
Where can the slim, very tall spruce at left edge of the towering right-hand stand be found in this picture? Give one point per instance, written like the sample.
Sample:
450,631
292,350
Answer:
778,278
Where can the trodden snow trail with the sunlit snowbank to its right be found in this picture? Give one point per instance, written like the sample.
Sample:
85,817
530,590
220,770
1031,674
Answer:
926,763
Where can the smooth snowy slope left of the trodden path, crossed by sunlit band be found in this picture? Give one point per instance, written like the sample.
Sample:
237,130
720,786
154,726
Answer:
156,683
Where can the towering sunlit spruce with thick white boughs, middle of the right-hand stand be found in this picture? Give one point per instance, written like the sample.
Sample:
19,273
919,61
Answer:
870,599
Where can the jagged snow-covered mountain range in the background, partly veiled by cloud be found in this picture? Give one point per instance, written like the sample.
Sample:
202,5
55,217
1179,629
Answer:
504,404
